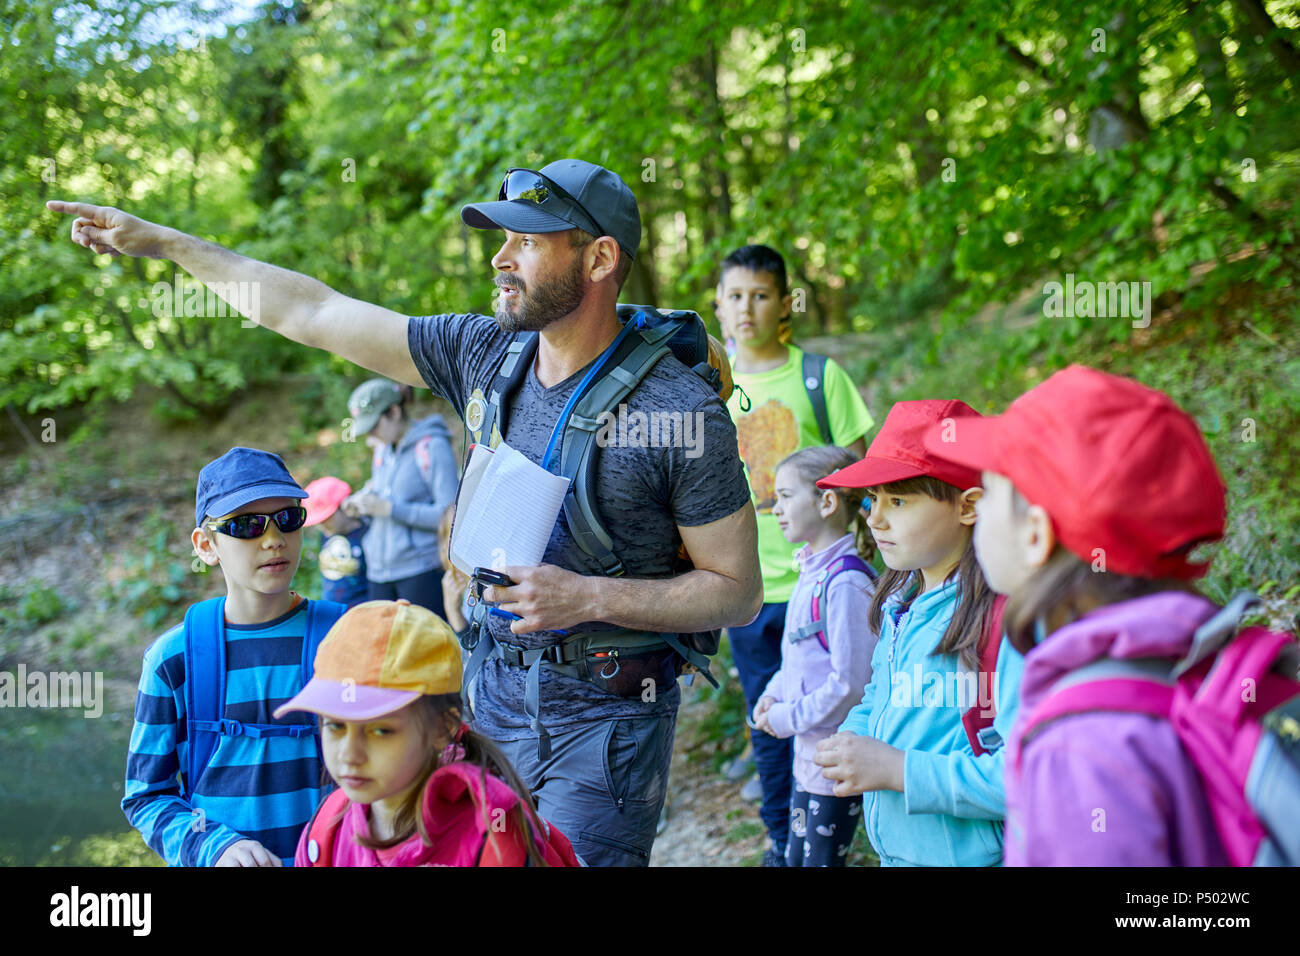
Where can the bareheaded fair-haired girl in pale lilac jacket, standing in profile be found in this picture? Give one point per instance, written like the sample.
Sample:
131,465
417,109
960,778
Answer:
826,657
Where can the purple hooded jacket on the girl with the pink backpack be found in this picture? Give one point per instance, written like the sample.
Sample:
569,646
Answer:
1110,789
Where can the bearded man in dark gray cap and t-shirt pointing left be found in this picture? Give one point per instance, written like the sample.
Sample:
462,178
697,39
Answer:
571,231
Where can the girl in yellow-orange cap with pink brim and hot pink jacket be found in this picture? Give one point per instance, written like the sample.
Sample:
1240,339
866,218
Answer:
417,788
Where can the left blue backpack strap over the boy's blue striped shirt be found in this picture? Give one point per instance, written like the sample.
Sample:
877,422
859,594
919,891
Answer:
205,685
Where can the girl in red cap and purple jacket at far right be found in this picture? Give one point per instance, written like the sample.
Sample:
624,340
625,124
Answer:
1097,488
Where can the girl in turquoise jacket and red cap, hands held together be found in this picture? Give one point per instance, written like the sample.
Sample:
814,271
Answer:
930,797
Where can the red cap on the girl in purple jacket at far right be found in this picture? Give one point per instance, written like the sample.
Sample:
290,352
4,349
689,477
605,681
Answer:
1116,465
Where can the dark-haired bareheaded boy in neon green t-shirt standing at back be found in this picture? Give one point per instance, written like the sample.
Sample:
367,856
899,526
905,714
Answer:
755,309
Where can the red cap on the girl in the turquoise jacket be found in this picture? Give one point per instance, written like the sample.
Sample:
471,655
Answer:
899,451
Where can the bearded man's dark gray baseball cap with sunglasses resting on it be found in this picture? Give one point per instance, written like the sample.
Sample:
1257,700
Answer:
603,194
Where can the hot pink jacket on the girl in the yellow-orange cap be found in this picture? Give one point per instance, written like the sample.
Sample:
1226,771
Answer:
470,827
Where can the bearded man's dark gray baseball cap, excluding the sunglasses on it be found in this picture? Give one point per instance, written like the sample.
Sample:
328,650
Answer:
597,189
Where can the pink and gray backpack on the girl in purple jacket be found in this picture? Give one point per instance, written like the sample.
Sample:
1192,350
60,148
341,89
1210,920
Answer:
1236,704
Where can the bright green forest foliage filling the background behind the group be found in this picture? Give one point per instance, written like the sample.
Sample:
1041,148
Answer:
1012,145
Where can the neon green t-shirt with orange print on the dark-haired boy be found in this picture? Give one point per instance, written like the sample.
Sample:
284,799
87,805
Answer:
781,422
